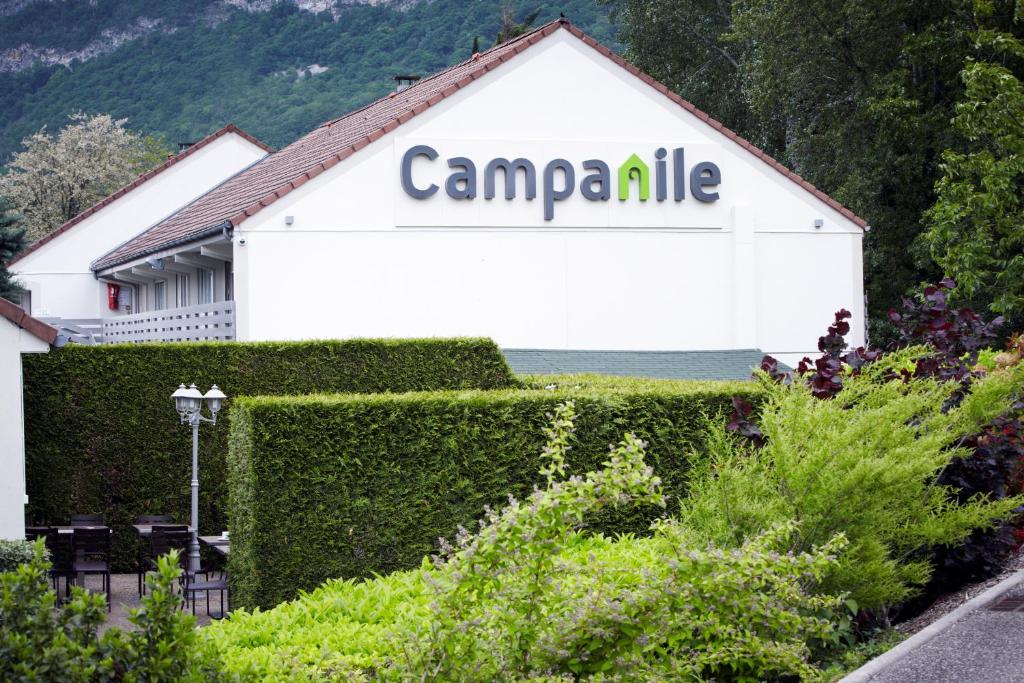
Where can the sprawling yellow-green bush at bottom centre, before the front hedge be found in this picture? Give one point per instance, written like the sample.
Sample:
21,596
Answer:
532,597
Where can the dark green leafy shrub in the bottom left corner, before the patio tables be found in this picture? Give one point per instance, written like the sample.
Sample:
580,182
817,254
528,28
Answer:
42,643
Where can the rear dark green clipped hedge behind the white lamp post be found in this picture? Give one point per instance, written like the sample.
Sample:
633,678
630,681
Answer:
102,435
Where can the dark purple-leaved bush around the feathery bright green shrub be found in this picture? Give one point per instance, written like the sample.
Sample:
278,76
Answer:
955,340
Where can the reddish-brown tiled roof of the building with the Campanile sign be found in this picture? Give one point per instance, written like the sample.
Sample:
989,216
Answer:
274,178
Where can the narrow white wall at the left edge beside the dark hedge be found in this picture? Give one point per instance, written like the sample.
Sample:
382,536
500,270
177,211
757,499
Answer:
14,341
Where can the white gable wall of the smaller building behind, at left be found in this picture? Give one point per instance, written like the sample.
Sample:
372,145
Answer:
59,274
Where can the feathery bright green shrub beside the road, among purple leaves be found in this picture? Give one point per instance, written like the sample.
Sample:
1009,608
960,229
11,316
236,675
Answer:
864,463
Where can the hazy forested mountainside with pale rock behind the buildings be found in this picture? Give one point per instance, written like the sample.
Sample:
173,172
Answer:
185,68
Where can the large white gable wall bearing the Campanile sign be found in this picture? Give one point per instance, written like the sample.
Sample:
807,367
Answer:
362,259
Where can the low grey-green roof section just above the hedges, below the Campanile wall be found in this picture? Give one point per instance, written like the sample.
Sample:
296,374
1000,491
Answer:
728,365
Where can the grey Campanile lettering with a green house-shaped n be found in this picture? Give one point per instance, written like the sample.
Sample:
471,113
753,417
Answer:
632,180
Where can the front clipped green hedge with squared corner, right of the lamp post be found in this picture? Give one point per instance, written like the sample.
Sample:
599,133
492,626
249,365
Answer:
347,486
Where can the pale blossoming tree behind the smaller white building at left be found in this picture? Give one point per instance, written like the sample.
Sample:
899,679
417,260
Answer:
55,179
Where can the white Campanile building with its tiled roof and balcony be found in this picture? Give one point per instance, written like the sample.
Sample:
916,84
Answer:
544,194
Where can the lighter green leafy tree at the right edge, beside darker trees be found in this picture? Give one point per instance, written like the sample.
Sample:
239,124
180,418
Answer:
976,227
